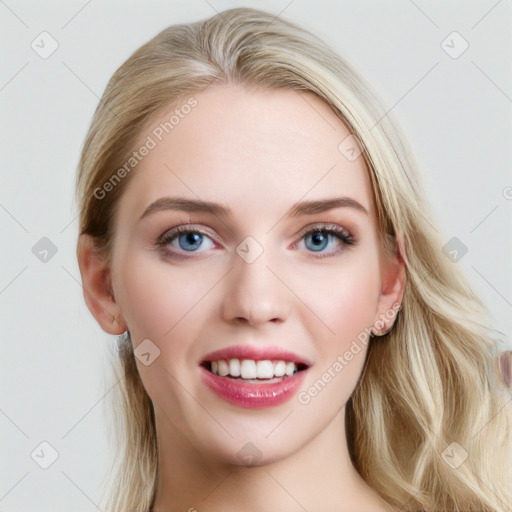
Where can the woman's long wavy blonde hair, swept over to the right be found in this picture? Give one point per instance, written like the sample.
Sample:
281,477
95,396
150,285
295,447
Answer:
427,384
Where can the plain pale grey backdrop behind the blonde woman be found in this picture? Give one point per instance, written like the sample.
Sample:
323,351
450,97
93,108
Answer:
455,109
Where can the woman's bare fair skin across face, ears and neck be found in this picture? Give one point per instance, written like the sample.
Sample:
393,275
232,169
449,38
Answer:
258,153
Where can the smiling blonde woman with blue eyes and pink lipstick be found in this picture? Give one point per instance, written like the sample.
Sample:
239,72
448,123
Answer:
292,336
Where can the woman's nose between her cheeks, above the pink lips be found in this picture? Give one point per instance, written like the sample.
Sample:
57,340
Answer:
254,295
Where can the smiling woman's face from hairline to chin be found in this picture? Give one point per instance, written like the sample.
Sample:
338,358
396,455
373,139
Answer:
248,287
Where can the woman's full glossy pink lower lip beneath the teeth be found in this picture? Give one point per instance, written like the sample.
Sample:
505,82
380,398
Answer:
253,396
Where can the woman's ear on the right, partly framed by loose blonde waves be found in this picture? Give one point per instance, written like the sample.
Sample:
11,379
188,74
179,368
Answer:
392,288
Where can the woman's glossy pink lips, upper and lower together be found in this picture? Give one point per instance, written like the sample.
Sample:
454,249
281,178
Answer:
254,395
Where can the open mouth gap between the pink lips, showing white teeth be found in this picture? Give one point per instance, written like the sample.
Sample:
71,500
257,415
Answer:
254,371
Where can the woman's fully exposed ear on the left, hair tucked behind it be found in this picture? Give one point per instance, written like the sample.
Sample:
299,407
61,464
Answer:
97,287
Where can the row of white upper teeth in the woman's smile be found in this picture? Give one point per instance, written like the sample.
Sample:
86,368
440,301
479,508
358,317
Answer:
250,369
